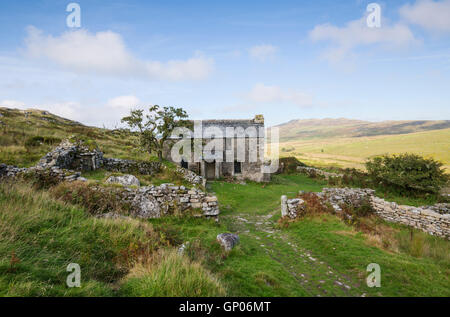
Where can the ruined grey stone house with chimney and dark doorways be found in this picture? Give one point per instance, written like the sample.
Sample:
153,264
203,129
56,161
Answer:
223,148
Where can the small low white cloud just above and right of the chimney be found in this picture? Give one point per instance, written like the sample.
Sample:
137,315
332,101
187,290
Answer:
261,93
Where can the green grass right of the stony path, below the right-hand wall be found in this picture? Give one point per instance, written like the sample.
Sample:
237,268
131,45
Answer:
402,274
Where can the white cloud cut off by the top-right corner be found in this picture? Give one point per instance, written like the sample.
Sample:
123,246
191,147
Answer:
431,15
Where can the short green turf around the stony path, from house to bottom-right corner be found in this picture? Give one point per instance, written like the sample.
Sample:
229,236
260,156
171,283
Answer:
266,266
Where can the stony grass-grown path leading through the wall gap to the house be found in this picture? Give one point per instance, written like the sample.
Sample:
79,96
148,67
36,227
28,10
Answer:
316,277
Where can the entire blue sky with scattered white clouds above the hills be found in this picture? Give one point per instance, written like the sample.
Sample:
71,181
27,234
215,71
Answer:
228,59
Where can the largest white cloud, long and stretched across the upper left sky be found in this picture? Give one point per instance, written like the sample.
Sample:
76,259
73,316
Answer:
105,53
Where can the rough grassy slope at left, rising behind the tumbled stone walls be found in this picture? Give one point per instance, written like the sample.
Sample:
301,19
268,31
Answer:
26,135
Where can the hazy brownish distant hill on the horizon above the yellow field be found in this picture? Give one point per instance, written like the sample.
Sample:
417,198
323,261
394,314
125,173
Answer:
348,128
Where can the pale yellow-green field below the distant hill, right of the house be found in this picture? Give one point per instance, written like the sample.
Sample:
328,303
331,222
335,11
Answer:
352,152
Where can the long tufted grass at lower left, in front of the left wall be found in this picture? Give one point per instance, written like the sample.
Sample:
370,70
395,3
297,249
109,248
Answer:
40,236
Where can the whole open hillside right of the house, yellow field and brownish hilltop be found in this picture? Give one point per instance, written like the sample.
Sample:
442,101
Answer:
348,143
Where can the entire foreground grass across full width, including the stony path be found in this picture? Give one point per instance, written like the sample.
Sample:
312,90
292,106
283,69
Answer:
316,256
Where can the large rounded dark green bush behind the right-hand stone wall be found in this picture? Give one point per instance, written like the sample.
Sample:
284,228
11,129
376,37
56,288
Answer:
407,172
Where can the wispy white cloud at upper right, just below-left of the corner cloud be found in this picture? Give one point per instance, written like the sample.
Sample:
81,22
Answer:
357,34
